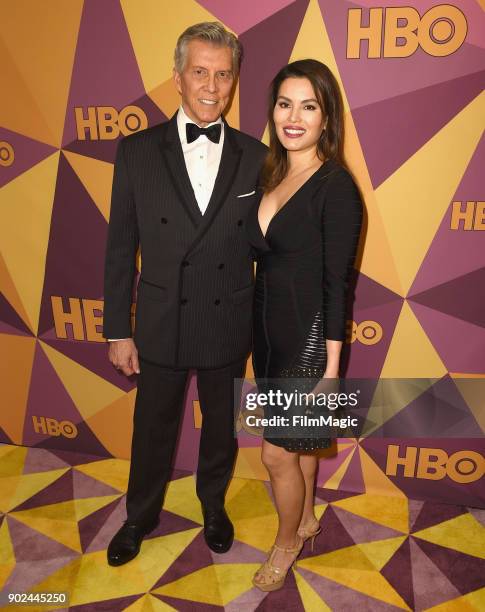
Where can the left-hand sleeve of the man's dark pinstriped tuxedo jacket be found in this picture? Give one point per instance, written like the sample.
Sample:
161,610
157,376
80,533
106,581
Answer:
121,248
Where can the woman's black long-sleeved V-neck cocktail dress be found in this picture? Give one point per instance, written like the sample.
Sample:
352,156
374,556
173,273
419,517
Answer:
304,264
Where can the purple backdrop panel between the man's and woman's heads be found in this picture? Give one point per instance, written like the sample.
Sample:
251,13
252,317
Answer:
263,59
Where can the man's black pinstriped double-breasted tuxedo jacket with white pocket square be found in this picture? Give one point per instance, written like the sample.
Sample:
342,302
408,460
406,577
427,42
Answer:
193,303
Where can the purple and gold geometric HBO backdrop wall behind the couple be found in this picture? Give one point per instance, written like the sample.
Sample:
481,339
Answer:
76,78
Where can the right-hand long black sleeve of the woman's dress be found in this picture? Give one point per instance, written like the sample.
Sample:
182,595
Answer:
341,225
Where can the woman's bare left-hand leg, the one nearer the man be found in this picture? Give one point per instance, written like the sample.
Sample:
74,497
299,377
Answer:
288,487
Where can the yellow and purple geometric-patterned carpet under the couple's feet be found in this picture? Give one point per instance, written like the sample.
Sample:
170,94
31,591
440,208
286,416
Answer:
374,553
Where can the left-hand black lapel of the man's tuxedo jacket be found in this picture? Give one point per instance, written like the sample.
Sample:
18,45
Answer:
172,153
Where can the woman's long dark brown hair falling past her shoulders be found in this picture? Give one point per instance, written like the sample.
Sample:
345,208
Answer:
327,93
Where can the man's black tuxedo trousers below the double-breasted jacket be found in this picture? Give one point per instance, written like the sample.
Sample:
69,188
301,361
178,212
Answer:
159,406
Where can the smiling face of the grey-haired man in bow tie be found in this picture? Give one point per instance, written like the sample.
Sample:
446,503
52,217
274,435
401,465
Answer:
206,81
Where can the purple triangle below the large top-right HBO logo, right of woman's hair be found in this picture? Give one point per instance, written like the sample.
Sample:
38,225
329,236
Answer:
388,139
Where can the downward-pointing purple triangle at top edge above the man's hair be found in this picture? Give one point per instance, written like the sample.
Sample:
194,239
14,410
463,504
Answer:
240,17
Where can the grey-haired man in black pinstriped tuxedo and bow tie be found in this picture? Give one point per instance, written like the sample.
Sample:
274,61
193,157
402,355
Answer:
181,192
